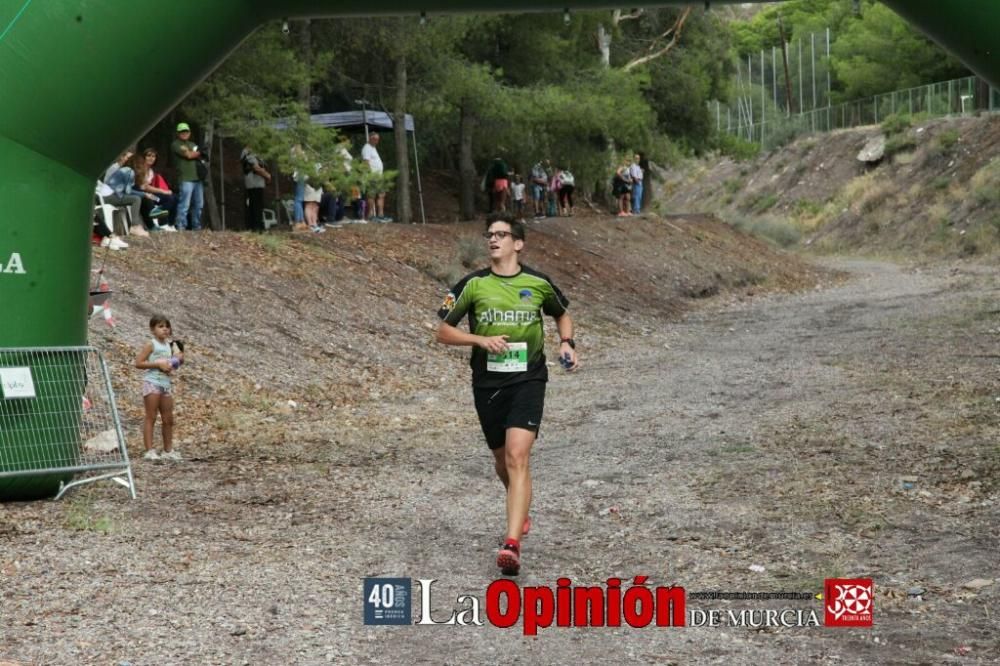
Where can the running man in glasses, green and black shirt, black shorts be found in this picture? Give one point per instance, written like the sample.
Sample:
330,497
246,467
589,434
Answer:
505,303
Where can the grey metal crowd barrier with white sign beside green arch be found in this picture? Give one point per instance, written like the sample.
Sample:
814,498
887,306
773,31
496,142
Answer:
58,420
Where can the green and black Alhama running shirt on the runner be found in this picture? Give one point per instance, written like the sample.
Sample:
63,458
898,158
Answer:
505,305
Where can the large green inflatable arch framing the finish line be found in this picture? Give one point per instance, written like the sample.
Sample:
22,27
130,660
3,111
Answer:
70,102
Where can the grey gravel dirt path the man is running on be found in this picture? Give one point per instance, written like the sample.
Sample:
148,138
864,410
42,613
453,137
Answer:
772,433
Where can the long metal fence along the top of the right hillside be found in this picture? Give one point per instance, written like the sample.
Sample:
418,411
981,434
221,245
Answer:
947,98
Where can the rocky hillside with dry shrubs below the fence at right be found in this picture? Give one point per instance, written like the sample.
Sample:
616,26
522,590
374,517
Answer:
935,193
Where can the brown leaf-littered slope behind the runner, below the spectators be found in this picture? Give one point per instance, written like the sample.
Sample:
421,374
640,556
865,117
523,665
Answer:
340,319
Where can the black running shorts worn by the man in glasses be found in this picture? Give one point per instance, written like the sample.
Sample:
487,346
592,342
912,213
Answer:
516,406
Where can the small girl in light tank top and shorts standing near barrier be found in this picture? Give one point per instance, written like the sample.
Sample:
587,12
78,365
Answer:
156,359
